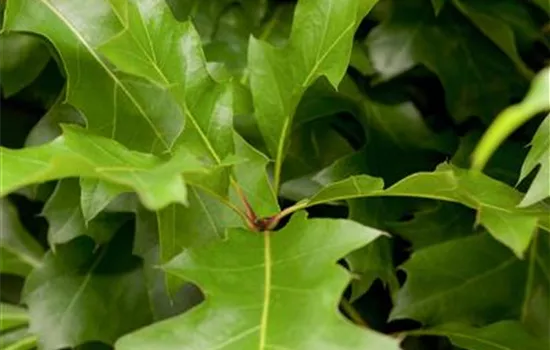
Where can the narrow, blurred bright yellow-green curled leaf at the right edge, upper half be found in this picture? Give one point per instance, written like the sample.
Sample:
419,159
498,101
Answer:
535,101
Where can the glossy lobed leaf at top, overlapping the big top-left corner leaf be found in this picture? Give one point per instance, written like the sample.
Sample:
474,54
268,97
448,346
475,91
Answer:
169,53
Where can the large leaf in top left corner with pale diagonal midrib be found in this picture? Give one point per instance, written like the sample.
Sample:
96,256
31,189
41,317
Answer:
109,99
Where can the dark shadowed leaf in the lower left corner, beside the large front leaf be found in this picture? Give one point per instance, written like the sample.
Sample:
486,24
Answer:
89,294
